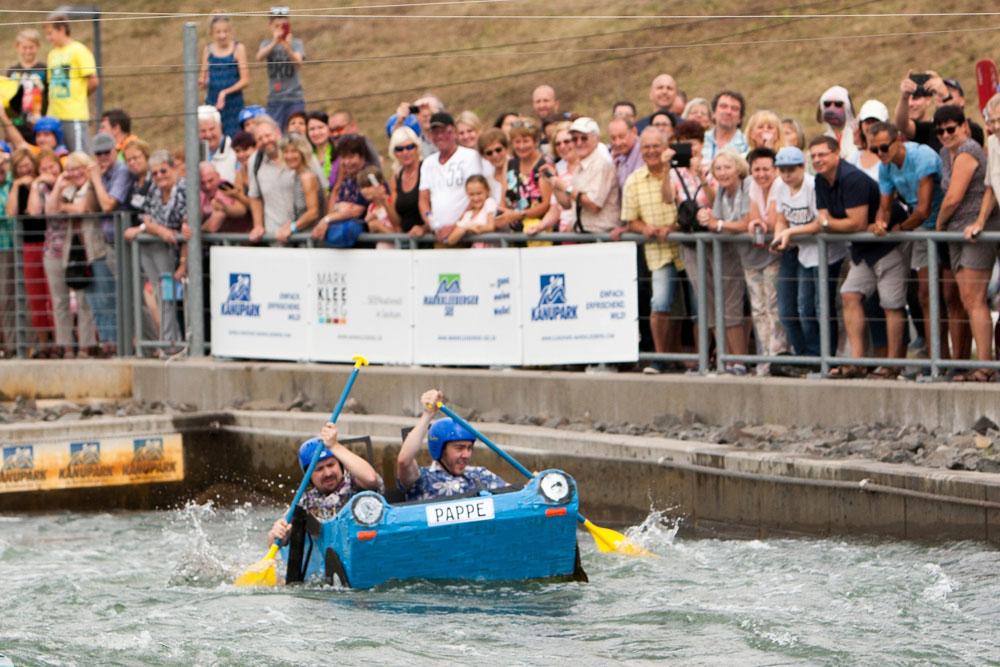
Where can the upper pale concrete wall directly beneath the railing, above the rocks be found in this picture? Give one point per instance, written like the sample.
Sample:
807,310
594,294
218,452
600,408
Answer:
606,397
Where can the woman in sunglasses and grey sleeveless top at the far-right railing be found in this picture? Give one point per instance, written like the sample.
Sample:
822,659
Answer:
964,182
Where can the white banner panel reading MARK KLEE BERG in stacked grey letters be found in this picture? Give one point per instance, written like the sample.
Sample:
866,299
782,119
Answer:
362,305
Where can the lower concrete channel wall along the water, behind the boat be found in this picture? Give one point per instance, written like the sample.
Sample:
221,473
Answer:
236,456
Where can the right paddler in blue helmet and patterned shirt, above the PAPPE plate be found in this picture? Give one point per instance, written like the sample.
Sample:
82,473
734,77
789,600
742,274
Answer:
450,445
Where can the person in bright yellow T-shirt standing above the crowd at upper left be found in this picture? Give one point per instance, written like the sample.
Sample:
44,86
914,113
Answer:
72,77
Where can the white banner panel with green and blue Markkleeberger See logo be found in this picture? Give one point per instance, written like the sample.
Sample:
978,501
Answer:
466,307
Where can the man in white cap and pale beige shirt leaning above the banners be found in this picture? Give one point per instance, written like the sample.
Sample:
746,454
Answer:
594,186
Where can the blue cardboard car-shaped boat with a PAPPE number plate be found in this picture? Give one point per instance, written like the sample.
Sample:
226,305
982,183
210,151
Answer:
517,532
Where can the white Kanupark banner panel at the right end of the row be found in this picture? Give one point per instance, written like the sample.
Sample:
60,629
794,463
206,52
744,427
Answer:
579,304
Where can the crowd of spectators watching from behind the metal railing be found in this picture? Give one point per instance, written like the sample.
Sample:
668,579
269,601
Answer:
691,164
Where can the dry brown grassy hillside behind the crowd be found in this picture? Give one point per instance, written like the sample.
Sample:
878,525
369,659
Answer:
369,59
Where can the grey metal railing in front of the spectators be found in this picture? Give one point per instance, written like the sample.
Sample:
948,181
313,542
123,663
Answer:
129,292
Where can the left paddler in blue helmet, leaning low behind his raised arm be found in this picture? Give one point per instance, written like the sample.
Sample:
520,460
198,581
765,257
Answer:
338,475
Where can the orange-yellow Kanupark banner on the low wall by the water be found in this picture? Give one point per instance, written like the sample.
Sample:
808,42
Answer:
33,466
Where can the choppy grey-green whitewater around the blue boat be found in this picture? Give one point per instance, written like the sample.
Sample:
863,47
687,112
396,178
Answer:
153,588
